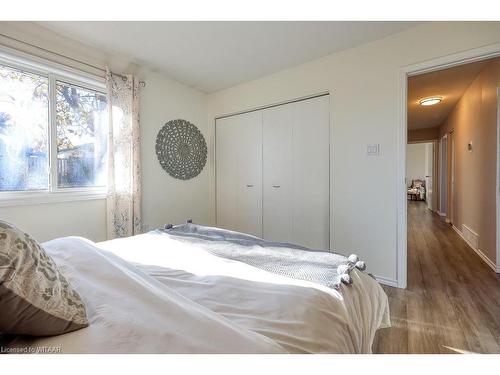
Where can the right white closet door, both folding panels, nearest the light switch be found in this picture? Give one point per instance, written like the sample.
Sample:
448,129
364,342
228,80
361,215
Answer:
296,173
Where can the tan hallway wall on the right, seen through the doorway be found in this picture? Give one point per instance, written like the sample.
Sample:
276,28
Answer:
474,119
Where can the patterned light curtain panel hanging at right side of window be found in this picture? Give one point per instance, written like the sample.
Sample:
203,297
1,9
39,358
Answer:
124,175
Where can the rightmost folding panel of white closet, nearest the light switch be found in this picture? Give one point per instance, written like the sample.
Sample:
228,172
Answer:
311,177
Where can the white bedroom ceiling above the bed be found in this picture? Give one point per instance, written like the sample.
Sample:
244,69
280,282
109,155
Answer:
211,56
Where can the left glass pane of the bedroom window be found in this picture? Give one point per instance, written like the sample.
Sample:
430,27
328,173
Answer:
24,163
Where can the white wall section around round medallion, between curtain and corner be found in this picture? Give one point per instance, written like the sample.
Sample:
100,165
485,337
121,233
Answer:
164,198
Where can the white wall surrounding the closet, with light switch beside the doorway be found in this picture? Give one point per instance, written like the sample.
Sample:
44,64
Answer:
363,83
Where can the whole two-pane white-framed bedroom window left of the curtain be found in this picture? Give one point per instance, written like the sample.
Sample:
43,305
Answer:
53,130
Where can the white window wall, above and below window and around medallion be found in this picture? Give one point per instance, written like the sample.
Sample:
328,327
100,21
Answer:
164,199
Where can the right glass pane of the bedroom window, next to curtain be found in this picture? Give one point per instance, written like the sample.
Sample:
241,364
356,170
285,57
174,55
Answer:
81,120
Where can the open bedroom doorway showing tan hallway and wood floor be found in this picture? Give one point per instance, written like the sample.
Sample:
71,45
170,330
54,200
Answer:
446,264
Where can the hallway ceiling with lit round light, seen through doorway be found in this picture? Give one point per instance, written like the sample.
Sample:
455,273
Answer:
448,83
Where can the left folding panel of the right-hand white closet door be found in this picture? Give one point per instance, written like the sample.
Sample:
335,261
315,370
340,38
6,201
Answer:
277,174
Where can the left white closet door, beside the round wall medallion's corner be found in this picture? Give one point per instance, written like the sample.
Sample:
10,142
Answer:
239,173
